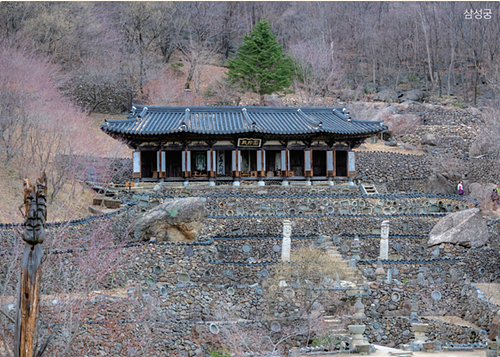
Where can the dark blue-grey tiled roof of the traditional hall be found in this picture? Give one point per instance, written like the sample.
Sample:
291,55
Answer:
153,121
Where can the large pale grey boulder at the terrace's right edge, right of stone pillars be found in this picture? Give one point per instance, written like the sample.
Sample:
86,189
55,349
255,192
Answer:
467,228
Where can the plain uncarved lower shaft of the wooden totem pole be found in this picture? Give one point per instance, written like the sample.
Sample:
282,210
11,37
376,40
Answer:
27,306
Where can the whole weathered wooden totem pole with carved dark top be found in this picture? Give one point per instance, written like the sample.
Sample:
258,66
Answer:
29,283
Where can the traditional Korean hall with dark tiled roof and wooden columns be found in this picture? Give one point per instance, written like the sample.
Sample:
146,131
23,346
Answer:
237,143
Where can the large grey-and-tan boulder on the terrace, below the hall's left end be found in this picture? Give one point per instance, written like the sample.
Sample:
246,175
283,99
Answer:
178,221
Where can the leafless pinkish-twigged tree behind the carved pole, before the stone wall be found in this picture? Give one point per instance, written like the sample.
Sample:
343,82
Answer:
70,281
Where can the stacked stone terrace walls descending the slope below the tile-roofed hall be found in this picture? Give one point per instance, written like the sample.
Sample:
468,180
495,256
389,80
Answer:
230,265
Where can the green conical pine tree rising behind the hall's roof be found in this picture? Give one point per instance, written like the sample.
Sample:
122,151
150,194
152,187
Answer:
261,66
